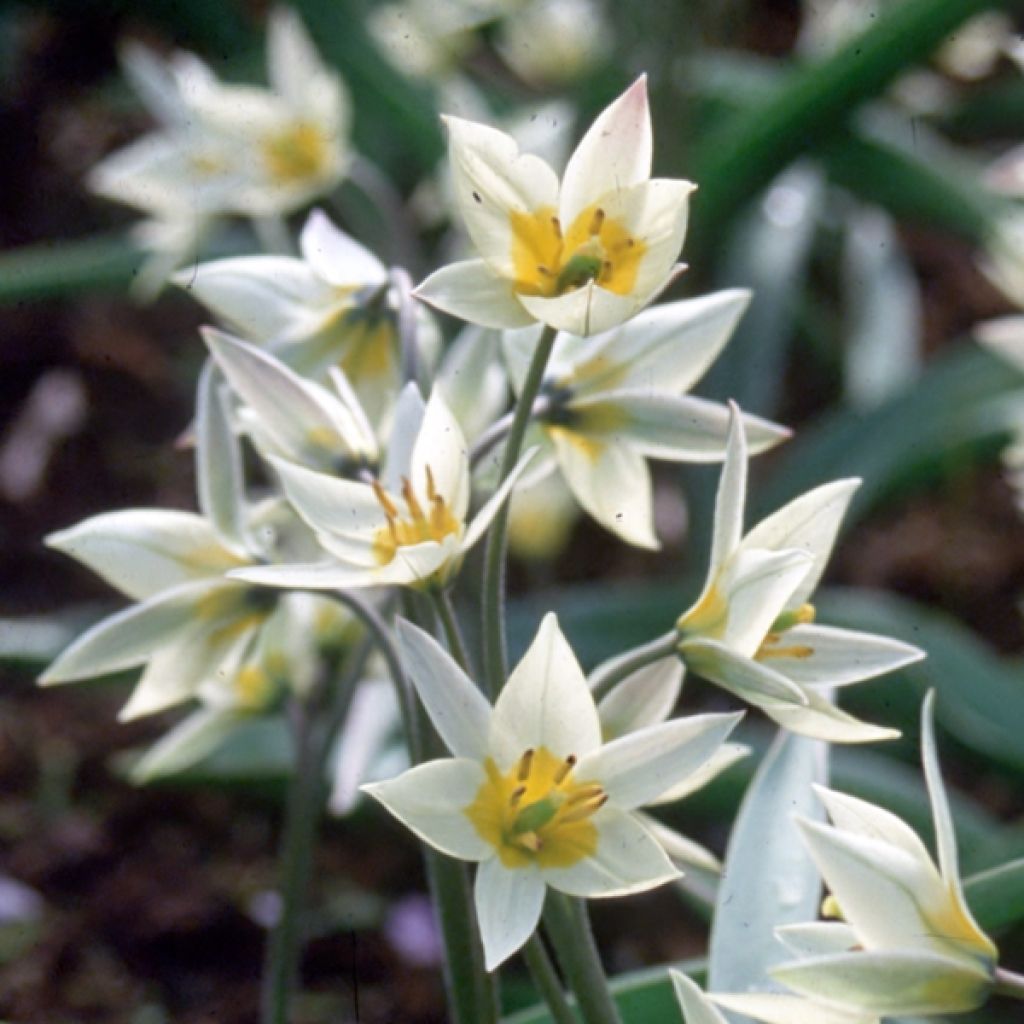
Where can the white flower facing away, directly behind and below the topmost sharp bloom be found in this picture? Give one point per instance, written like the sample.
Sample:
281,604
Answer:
617,400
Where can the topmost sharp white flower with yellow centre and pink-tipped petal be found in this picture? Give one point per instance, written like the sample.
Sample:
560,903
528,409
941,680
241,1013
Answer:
581,255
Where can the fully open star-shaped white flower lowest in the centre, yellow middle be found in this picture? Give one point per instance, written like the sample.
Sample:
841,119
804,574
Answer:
531,794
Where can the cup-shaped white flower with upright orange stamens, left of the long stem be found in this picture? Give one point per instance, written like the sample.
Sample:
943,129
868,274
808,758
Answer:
409,528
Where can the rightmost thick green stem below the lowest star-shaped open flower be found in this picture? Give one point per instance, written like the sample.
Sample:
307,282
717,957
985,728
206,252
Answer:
569,929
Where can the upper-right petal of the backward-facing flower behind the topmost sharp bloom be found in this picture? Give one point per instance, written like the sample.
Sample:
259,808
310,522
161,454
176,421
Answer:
668,348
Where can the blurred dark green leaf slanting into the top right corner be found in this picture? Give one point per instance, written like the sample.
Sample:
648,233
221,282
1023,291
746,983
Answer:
736,163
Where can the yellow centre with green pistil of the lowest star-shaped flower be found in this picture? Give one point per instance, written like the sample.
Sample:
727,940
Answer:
537,813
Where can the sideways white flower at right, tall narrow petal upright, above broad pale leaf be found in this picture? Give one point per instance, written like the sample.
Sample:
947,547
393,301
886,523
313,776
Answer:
752,630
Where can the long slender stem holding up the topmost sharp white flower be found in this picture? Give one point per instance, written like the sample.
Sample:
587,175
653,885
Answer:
494,566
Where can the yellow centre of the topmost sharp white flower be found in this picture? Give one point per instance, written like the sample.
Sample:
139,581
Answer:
596,247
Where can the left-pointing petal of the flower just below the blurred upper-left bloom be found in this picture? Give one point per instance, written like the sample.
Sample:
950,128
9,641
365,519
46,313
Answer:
262,297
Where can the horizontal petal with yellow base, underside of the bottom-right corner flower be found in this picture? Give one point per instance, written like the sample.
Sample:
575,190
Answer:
890,984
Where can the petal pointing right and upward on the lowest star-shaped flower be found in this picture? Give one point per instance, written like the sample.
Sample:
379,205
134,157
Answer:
641,766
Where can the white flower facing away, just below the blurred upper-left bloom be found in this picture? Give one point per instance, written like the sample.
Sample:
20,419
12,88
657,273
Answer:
332,309
